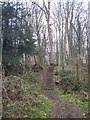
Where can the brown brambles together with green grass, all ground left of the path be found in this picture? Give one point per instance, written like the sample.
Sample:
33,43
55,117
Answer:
25,97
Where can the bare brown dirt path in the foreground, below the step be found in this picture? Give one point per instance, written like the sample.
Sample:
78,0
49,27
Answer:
62,109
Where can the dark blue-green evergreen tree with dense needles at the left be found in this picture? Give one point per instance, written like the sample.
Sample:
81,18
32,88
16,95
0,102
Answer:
17,34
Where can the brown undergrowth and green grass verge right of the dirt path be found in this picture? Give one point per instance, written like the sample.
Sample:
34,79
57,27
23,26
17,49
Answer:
74,90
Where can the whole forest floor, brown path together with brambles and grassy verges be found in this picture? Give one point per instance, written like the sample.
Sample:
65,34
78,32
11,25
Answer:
29,95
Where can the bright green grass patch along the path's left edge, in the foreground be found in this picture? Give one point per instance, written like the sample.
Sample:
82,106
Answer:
41,109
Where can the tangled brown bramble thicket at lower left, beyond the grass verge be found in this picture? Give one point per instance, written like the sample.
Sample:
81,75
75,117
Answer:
18,99
